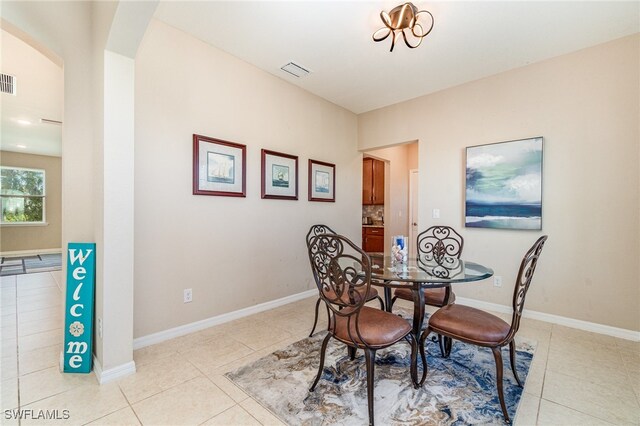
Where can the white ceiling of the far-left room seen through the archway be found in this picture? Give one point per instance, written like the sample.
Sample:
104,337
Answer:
39,94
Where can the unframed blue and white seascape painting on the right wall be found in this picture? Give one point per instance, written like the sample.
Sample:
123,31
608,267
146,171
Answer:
504,185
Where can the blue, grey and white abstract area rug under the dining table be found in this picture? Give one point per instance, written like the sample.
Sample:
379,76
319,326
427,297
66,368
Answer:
458,390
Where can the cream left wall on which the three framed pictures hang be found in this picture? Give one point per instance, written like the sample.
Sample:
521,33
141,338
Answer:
233,252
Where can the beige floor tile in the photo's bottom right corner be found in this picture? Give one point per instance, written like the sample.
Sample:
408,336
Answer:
601,401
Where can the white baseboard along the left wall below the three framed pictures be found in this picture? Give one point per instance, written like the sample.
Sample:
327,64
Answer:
182,330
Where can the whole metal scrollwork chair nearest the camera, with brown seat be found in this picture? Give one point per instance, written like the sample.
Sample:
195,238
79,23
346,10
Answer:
342,272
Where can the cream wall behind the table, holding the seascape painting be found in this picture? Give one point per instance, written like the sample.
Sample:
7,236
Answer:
586,106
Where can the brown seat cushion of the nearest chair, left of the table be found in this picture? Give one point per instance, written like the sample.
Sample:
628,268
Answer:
378,328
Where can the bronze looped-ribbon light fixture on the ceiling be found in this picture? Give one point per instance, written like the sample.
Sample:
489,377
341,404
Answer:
401,18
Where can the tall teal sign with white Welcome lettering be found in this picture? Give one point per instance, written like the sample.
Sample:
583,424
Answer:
78,334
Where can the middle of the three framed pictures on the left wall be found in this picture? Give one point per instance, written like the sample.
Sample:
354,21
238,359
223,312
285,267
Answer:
279,175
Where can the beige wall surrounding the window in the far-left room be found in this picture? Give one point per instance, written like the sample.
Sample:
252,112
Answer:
34,238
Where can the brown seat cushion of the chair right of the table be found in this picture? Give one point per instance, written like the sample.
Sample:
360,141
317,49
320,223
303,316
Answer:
469,324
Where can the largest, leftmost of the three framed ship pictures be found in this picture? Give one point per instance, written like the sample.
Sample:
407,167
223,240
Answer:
219,167
